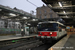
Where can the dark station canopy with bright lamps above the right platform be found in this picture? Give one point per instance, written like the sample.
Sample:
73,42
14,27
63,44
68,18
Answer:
64,8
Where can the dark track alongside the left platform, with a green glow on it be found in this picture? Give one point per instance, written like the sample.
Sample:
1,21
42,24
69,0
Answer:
14,41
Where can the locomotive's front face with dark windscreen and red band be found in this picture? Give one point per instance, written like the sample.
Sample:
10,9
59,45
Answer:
47,31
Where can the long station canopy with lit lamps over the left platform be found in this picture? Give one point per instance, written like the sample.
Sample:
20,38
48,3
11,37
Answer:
16,14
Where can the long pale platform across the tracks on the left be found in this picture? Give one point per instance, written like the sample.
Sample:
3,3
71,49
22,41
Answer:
10,37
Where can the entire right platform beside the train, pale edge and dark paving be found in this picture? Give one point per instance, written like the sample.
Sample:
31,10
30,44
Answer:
66,43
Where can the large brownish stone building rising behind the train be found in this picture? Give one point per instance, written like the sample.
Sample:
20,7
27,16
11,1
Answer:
45,12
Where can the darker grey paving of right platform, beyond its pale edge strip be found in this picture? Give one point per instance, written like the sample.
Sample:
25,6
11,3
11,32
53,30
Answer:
70,44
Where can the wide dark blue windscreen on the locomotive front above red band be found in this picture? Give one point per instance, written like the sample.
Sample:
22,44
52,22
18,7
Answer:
48,27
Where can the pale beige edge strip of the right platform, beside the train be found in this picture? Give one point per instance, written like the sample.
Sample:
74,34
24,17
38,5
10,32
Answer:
59,45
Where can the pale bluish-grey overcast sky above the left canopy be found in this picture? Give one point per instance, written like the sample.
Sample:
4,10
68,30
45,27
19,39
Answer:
22,4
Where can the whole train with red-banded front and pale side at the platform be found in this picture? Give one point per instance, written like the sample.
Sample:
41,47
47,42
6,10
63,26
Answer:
50,31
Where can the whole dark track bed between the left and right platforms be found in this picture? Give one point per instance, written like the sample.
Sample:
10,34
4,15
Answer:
27,44
